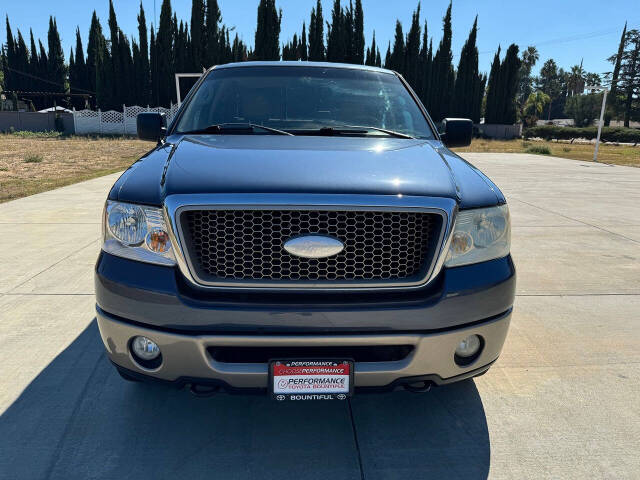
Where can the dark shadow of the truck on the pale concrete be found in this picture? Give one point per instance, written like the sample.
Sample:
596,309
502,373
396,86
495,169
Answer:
79,419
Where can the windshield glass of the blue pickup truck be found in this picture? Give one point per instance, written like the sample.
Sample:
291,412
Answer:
301,100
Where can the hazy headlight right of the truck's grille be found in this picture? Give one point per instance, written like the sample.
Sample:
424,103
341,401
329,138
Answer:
480,235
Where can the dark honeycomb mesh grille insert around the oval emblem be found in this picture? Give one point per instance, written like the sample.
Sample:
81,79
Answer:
247,245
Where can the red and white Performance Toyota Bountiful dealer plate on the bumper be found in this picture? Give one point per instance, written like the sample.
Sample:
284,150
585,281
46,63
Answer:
310,379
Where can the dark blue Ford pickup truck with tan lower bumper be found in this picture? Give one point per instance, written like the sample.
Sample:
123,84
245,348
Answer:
303,230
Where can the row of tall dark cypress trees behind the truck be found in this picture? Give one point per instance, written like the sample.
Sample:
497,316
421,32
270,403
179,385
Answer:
117,69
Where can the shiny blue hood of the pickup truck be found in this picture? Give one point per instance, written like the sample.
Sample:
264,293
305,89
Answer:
301,164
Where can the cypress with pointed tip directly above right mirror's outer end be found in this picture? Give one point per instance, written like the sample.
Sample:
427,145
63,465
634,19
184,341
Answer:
467,77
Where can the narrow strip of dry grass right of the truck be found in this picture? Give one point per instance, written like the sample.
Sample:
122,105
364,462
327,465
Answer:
616,155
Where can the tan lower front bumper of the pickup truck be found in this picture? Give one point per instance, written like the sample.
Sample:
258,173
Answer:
186,358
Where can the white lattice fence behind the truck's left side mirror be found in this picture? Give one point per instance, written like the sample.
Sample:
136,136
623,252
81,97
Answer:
112,122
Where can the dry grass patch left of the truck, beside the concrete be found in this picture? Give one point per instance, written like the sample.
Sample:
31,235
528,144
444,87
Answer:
33,163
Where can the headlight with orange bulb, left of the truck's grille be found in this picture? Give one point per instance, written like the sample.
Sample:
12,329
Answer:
137,232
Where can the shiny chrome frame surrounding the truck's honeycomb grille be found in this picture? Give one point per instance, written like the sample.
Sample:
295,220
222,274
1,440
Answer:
177,205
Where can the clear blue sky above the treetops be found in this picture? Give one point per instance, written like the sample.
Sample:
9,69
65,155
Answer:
569,31
